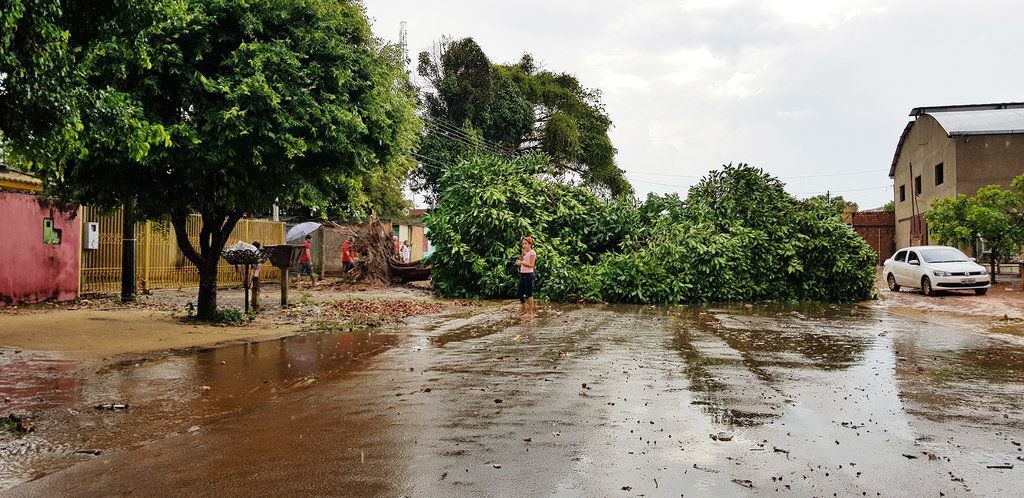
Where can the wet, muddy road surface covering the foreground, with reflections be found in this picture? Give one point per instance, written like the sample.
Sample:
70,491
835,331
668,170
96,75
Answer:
580,401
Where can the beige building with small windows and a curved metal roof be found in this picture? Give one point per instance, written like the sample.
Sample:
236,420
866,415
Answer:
953,150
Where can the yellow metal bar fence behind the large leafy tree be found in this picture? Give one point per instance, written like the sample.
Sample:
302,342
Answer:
159,263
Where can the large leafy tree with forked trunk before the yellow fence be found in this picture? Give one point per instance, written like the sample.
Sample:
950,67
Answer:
231,107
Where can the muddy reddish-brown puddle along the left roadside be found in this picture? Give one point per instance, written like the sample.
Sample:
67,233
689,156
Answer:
164,396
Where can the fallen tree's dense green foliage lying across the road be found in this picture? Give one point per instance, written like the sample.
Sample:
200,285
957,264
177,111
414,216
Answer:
739,236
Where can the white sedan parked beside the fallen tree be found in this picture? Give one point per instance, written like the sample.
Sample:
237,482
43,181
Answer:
934,269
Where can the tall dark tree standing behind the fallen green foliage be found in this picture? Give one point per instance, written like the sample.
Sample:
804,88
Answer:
476,107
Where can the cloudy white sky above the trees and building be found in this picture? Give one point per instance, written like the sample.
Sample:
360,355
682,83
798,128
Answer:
817,93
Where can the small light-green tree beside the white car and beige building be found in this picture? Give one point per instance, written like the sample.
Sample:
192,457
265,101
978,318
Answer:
995,216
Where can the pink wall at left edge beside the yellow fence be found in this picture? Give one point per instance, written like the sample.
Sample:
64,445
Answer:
30,270
